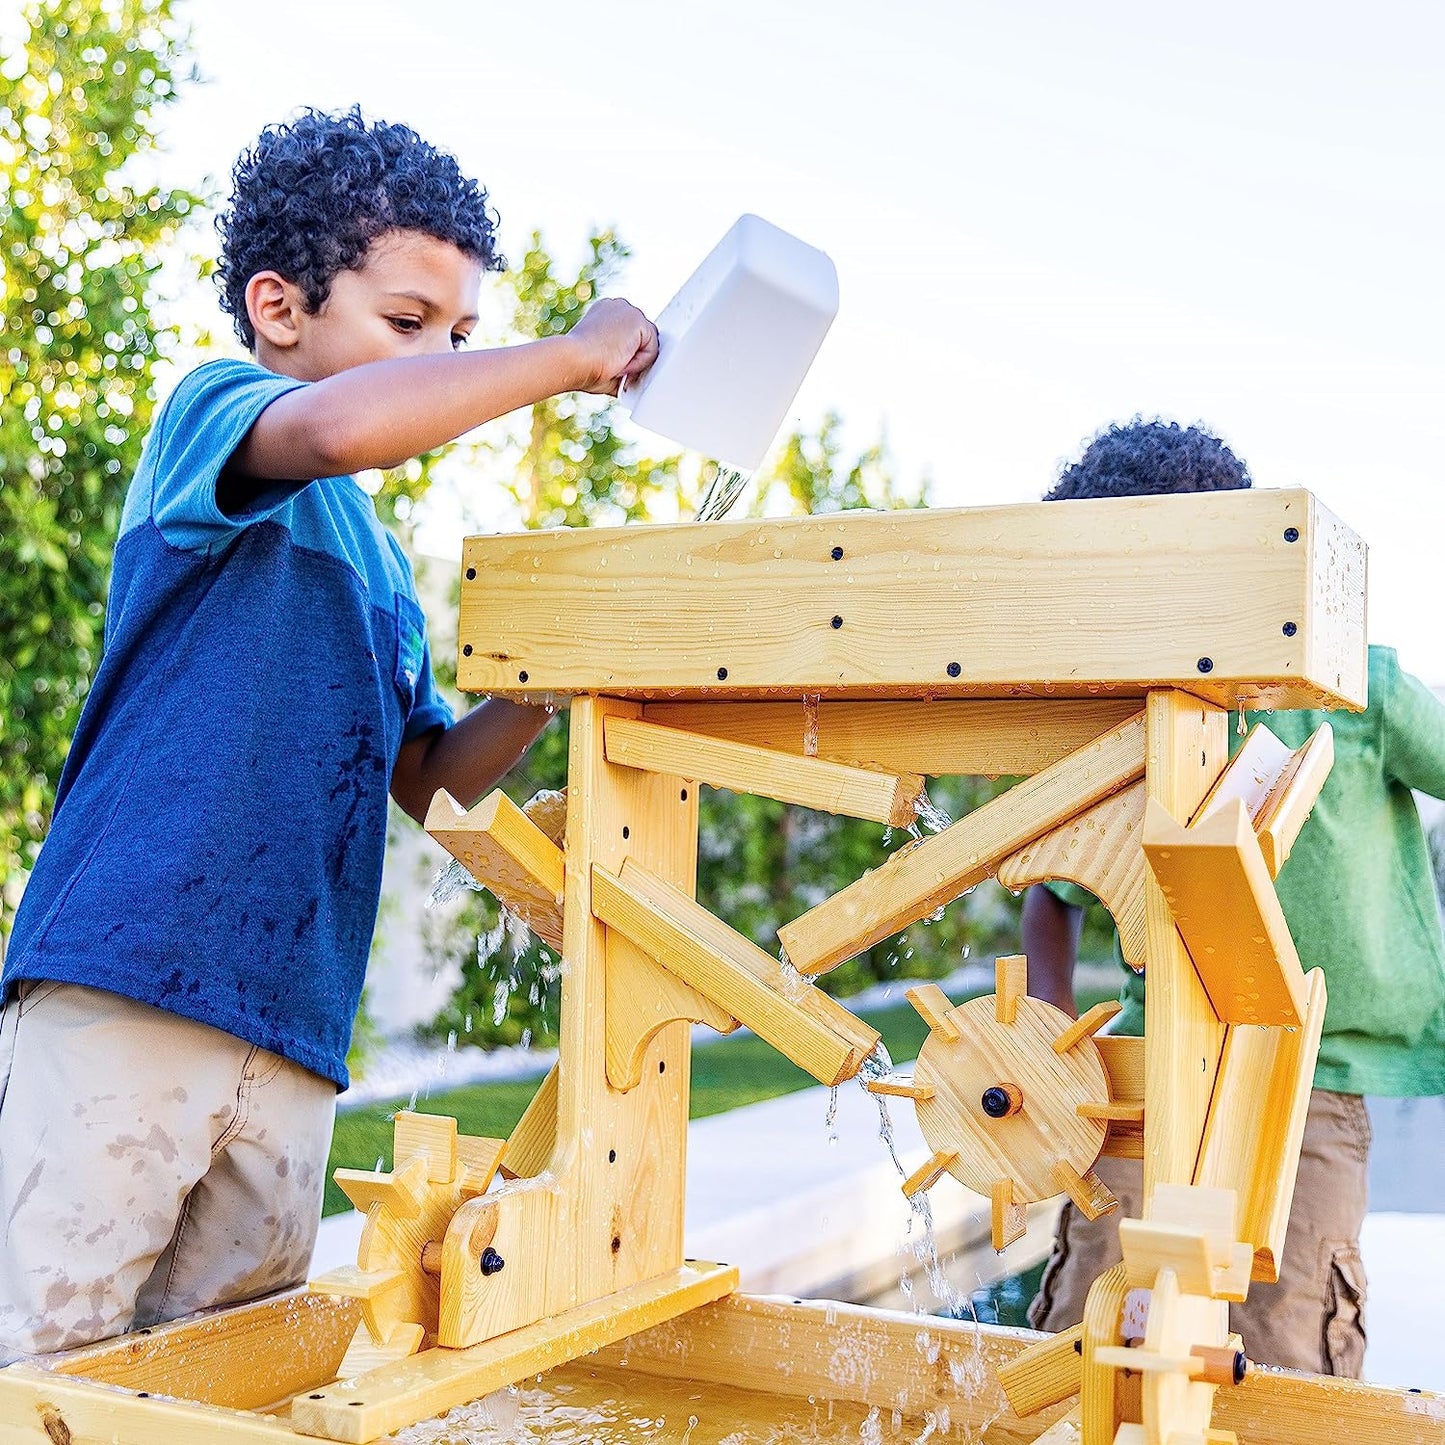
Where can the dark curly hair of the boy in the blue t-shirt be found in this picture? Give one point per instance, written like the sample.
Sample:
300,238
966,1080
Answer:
311,197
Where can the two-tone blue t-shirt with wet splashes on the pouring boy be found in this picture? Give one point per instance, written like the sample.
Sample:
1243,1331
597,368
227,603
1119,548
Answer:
222,817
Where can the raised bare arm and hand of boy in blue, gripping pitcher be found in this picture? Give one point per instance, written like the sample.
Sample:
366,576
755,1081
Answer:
385,413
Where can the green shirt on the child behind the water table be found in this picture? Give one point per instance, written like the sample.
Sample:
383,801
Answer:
1359,892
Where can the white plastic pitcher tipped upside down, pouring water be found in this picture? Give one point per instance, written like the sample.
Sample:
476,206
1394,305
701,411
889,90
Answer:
736,345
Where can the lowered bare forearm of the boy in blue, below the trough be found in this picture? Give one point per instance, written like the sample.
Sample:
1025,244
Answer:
470,758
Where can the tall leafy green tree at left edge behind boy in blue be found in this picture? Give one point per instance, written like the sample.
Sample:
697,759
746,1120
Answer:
80,252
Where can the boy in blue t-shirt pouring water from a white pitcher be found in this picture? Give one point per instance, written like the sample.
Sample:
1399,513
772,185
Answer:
190,952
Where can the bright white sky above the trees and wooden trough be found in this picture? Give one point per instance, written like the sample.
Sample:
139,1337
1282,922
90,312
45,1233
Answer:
1045,216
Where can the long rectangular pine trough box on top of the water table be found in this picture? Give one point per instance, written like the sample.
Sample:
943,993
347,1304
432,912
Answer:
1189,592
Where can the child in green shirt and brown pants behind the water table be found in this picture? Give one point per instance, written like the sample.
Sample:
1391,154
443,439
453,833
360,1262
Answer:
1359,898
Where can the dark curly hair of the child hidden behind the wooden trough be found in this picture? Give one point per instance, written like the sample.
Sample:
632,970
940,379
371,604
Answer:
1147,459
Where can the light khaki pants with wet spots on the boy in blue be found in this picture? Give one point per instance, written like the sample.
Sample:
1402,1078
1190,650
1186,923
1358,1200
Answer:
150,1167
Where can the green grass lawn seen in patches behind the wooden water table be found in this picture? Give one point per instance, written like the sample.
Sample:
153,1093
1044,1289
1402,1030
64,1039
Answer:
726,1074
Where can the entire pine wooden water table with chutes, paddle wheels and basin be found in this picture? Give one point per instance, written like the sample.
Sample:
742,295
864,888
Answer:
1096,651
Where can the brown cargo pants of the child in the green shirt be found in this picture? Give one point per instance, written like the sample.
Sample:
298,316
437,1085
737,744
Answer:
1314,1317
